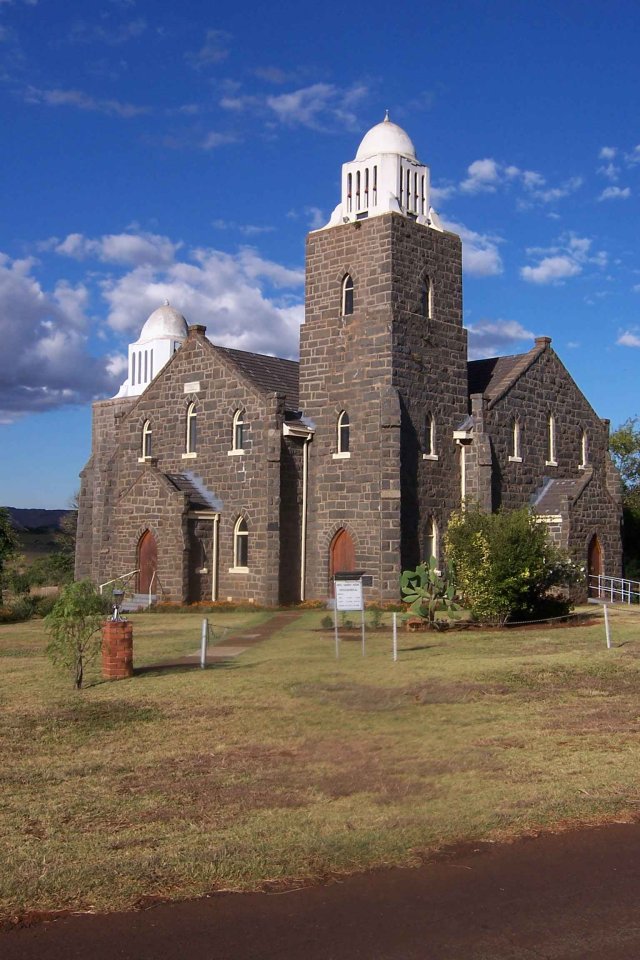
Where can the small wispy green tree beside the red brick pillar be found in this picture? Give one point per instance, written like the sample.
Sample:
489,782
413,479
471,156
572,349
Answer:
74,628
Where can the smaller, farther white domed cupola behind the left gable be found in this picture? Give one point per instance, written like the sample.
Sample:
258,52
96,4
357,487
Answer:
164,331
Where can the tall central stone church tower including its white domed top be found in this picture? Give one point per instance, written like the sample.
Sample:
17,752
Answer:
383,370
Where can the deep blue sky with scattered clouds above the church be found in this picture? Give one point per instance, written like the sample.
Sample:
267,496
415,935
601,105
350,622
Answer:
156,150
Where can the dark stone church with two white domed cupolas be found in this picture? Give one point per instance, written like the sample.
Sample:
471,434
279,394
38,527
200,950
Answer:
219,474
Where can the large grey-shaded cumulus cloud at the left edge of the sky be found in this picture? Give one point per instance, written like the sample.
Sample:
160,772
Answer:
45,361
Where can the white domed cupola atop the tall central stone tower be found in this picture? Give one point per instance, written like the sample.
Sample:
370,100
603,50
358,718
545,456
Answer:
385,176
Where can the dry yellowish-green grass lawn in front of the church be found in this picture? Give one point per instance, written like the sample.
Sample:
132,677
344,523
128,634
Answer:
287,765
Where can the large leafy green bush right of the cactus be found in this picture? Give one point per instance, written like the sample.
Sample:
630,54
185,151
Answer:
504,564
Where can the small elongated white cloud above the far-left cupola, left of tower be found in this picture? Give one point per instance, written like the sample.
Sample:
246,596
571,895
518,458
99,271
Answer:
128,249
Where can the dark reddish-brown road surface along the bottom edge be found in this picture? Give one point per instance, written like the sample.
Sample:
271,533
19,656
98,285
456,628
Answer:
571,896
